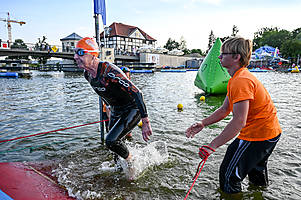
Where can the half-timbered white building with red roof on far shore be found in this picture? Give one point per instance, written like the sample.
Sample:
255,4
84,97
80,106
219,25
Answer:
125,39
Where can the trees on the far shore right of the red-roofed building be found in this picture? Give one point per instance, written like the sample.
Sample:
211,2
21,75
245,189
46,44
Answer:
289,43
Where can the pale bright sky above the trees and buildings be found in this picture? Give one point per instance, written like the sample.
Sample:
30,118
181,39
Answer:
161,19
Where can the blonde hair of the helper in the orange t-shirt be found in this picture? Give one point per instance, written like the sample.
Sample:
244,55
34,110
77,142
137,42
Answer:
241,46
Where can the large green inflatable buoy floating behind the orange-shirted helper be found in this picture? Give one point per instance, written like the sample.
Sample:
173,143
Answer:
212,77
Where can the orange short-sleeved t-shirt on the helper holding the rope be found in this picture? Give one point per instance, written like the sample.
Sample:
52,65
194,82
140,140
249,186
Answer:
262,122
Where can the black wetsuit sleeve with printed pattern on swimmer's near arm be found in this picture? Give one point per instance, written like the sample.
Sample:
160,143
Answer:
117,76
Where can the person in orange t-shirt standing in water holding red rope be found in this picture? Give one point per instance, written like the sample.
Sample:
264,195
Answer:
254,121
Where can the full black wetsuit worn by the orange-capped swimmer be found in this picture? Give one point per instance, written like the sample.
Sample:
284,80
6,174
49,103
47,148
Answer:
125,100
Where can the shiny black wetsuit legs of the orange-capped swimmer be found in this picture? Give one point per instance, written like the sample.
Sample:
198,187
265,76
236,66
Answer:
122,121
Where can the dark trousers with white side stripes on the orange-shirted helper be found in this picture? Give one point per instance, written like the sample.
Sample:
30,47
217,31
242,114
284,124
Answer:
245,158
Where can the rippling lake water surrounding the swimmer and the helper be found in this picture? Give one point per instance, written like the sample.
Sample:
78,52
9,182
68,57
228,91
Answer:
54,100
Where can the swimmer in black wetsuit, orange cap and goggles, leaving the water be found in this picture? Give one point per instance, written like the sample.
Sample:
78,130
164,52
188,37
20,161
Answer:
125,99
